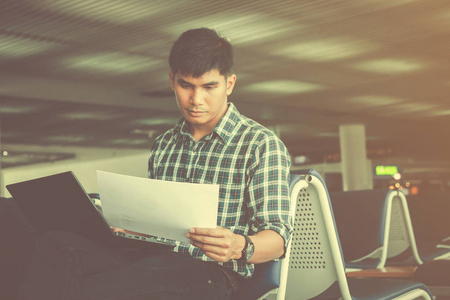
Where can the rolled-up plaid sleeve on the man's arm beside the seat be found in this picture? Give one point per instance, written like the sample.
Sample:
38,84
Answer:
268,192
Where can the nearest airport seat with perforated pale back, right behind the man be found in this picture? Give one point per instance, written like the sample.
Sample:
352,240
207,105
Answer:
316,266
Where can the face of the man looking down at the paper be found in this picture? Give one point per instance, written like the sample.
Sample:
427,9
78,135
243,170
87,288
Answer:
202,100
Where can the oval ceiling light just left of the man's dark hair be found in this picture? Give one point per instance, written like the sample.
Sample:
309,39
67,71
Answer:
111,62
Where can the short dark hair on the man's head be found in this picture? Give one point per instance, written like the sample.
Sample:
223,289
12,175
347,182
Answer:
201,50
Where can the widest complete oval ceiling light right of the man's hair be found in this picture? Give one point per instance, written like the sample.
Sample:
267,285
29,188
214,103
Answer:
325,50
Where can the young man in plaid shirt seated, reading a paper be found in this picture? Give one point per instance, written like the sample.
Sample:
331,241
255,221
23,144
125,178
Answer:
212,143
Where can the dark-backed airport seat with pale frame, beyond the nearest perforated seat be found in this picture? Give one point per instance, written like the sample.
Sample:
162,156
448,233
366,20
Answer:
375,218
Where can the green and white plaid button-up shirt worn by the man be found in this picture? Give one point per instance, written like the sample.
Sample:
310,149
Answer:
248,161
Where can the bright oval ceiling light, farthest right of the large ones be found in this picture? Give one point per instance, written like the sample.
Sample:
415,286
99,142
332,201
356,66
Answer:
388,66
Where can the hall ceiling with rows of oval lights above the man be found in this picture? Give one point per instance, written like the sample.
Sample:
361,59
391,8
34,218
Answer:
95,73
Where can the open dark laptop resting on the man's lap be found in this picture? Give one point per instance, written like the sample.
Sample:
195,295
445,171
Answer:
59,202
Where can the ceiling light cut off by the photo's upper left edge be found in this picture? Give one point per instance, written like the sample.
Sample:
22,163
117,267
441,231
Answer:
12,46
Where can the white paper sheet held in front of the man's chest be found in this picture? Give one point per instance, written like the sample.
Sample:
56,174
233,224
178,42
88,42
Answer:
160,208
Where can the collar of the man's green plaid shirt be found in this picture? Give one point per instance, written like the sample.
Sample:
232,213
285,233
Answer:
223,129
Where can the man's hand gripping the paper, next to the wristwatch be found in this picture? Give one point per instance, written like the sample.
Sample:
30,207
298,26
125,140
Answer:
220,243
